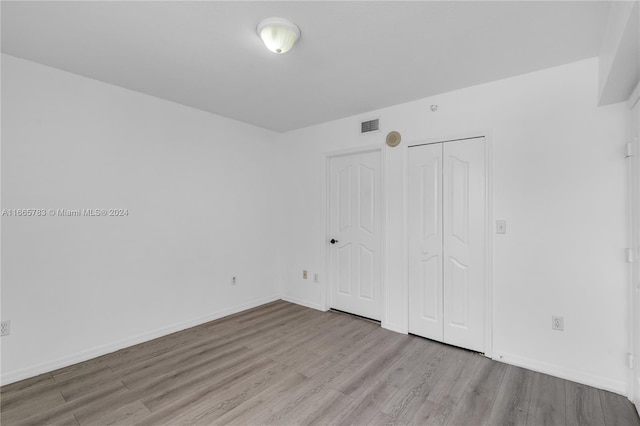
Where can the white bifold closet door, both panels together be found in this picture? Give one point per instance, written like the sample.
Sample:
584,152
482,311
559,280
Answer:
447,217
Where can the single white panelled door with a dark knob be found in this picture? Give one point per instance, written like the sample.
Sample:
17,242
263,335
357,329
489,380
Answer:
355,209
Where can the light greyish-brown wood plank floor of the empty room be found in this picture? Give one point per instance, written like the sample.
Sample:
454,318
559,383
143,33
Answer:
286,364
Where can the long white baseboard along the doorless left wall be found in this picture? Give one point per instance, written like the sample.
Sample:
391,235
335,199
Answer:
25,373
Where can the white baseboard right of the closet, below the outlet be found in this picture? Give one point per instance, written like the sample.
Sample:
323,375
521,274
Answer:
600,382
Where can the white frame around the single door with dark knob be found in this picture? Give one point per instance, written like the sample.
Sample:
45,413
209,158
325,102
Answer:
328,156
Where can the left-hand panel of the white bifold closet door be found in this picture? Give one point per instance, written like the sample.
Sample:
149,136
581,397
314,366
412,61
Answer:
425,241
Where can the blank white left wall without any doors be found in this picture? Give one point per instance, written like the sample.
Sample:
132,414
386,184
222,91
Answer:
199,189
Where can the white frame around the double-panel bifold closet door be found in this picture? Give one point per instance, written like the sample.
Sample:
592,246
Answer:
488,206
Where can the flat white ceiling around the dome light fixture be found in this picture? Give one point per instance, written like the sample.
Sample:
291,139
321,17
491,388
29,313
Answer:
352,57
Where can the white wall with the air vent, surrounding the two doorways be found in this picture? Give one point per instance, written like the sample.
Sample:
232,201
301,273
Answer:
559,181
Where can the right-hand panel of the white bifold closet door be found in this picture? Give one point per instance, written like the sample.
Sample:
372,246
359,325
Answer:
464,243
